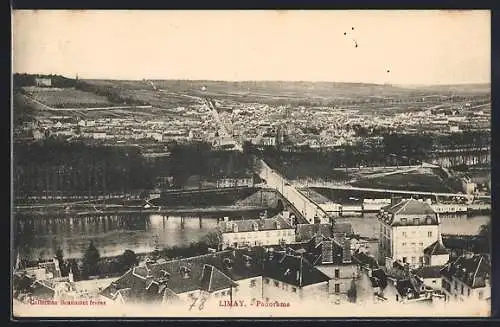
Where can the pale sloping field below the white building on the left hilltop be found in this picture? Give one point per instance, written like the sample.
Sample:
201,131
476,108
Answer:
68,98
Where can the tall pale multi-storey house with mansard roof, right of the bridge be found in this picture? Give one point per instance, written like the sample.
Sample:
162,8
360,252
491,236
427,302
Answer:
407,228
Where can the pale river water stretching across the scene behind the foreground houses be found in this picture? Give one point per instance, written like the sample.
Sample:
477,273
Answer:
37,237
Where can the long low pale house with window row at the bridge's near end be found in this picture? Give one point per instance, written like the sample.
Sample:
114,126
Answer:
255,232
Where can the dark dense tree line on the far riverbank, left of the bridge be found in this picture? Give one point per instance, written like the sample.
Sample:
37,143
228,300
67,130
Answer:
77,168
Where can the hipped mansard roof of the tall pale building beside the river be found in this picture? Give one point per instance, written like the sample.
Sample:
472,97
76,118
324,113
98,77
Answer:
391,214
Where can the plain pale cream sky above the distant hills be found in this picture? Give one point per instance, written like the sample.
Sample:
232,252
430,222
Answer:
417,47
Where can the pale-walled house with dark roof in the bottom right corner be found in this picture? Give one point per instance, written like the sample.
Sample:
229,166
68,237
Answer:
467,278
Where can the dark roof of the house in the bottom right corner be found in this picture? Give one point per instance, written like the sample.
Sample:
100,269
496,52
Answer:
473,270
